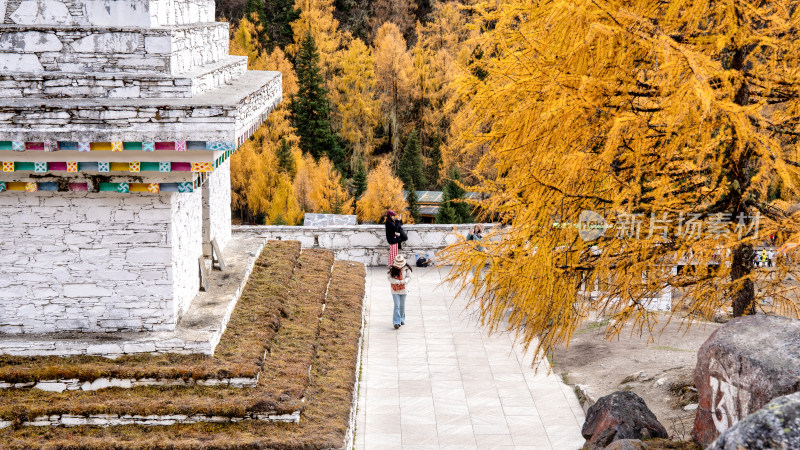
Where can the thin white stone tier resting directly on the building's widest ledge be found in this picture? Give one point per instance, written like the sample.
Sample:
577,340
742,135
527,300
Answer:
122,85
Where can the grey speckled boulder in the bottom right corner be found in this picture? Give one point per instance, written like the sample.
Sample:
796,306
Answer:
777,425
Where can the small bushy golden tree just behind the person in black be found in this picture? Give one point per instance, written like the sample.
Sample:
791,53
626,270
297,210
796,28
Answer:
384,191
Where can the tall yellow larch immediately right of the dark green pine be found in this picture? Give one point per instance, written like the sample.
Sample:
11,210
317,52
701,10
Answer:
356,109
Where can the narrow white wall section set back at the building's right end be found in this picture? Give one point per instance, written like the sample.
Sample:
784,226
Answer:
217,208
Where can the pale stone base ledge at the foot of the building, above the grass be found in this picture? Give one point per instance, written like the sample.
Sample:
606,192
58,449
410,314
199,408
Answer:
199,330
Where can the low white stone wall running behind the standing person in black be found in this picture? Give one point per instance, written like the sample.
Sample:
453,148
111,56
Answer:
364,243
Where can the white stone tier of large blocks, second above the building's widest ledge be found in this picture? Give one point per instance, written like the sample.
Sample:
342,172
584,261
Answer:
168,50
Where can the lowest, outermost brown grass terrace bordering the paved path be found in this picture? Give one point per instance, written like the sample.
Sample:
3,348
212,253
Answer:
328,396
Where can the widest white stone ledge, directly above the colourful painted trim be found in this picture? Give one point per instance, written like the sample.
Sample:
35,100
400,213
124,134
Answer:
225,114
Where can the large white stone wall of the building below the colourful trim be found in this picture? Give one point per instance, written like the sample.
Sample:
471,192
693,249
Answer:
96,262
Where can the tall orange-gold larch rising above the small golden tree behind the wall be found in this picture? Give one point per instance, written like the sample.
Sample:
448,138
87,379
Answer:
393,71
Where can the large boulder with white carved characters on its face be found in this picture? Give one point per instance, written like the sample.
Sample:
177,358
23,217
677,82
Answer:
741,367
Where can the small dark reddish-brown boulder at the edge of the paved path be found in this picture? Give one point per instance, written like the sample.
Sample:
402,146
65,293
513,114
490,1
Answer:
621,415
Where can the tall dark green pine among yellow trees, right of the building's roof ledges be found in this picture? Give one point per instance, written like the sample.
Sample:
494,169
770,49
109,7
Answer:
311,108
